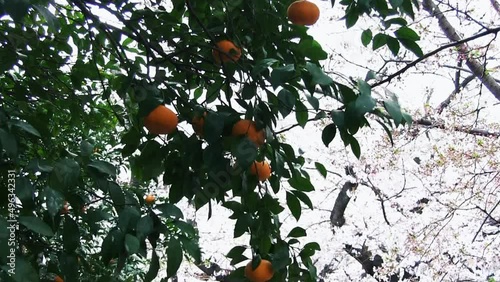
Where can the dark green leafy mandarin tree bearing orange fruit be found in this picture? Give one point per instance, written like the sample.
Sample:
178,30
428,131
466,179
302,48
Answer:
94,88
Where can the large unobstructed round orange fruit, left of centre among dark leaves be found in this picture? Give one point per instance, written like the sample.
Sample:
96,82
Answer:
161,120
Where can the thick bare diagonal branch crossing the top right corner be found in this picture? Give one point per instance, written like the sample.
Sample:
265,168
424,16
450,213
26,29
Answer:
474,65
